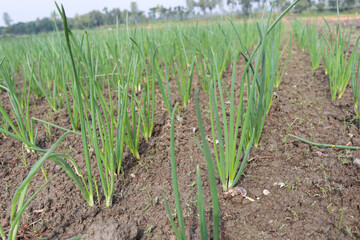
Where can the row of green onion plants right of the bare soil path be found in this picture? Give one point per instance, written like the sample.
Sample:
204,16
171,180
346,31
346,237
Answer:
339,52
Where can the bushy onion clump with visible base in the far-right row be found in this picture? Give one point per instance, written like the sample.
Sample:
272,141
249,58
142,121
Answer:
339,59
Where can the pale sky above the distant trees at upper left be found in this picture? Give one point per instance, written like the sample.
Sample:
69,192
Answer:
29,10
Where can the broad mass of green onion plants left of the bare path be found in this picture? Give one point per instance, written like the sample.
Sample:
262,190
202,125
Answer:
107,83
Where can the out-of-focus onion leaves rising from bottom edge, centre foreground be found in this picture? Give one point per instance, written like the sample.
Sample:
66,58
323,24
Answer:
180,232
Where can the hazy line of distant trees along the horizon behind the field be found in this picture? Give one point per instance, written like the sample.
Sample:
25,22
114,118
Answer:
193,9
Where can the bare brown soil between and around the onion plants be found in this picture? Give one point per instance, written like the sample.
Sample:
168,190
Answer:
313,193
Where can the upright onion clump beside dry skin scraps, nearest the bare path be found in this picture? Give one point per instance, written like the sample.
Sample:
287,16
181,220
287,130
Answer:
227,149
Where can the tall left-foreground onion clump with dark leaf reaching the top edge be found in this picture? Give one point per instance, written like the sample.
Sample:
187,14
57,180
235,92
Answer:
99,131
